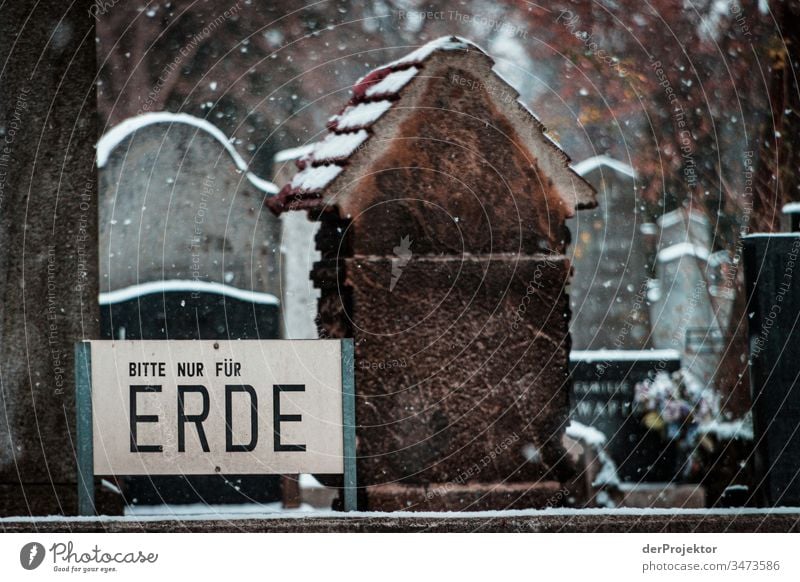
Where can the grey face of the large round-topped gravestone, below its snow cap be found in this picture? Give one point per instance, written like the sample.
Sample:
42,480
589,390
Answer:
174,206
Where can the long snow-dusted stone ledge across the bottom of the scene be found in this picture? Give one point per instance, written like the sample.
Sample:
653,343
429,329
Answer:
554,521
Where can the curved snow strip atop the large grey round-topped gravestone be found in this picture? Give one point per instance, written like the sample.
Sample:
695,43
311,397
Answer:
117,134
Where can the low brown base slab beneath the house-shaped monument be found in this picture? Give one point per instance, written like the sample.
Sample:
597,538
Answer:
466,497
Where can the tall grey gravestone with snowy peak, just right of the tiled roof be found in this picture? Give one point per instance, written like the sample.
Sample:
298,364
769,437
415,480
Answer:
608,292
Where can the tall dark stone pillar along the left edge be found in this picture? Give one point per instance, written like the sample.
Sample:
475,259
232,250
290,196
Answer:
48,237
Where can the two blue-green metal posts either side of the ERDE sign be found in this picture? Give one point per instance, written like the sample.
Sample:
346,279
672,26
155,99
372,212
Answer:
85,430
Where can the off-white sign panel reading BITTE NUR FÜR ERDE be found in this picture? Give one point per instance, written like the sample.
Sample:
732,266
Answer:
205,407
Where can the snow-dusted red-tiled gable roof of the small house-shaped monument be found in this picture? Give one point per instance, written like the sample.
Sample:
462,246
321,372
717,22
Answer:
372,97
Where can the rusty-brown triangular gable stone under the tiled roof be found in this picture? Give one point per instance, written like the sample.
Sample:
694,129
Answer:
454,183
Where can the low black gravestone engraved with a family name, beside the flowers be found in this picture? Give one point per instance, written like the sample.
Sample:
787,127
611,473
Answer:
603,389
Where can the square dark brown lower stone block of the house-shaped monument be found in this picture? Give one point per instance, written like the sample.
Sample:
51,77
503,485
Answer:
462,364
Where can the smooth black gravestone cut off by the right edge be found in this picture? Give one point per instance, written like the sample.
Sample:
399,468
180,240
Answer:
773,291
